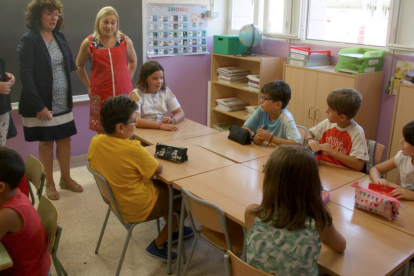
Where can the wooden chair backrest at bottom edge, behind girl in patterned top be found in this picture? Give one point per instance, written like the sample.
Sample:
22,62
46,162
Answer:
236,267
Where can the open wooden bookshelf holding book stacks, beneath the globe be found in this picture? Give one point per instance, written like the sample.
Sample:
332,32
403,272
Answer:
269,68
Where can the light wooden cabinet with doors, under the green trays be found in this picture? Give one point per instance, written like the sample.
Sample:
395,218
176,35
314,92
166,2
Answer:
311,86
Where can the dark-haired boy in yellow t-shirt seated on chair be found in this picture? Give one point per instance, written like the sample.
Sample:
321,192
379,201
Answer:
128,167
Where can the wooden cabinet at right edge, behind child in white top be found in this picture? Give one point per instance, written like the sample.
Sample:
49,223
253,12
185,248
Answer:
403,114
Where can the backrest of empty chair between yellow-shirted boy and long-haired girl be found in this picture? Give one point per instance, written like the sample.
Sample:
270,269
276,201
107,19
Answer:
207,213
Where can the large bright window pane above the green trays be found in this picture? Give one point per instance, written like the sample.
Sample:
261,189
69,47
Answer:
348,21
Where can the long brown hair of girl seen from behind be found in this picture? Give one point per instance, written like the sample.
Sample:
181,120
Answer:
292,190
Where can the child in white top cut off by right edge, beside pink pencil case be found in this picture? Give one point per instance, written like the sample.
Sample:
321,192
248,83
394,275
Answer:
403,160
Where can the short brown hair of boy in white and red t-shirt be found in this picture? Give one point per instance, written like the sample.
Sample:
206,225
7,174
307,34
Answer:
344,101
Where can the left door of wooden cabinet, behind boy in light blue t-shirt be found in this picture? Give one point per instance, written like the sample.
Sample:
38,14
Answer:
302,82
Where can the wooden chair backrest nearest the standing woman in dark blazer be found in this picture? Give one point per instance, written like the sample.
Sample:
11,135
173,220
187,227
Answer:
35,174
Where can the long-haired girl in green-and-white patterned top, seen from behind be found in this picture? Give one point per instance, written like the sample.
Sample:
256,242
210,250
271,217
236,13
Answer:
285,230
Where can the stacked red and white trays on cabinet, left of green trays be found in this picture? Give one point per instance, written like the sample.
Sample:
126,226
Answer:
303,56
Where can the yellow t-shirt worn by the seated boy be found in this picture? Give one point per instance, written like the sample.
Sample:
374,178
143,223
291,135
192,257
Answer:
128,167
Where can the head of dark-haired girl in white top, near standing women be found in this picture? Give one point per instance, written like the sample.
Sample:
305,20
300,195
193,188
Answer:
151,76
